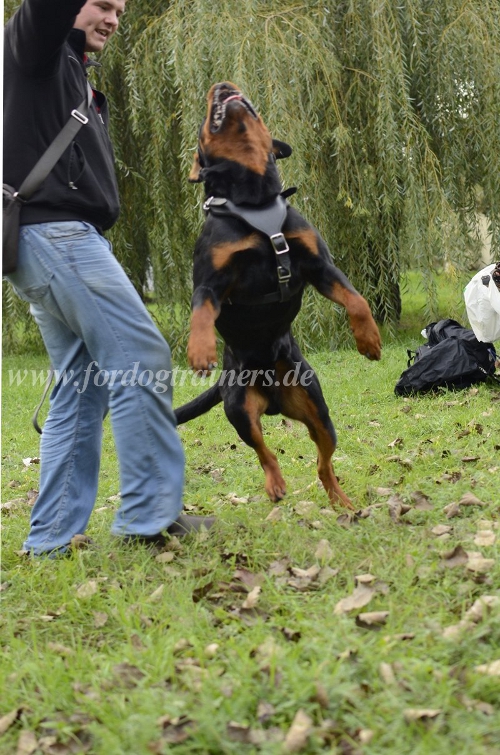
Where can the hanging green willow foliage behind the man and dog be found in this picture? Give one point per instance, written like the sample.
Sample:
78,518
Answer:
391,108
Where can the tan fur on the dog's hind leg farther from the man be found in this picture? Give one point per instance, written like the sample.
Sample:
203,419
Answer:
297,404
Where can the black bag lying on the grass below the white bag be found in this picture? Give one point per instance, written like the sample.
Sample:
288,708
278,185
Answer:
452,358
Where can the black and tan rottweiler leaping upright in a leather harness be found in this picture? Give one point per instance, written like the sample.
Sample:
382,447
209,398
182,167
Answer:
252,261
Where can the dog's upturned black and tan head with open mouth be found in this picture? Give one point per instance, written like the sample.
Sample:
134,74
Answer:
236,155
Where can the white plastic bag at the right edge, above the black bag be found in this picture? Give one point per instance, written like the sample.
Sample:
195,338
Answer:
483,306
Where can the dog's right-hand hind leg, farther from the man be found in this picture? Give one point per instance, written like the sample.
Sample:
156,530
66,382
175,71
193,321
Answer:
305,402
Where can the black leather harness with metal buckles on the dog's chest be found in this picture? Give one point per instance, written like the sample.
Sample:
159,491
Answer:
268,219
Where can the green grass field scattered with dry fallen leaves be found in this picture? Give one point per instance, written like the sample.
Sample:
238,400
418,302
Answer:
291,627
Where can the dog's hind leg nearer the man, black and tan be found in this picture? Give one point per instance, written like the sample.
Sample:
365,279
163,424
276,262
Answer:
244,408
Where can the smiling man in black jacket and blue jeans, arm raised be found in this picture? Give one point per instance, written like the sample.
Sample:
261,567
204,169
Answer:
102,343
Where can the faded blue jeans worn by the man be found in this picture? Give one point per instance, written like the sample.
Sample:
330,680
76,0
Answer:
107,353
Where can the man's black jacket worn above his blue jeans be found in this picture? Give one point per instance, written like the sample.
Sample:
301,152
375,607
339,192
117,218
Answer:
44,80
